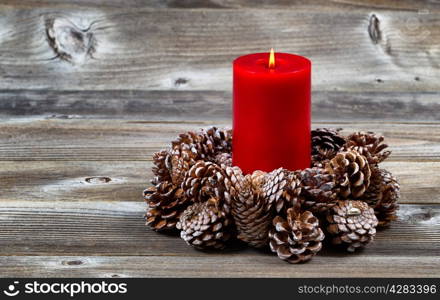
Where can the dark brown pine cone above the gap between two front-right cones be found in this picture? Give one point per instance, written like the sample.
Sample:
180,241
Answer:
318,190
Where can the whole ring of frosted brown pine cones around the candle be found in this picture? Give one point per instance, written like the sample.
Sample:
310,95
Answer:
198,191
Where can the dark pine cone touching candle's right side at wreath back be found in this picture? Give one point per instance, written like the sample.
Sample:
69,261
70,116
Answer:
326,139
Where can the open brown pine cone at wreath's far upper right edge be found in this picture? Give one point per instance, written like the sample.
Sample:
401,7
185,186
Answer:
369,145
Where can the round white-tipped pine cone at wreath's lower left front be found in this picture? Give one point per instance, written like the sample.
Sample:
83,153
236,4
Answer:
205,225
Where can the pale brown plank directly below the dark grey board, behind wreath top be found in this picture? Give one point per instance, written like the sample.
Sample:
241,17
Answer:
53,138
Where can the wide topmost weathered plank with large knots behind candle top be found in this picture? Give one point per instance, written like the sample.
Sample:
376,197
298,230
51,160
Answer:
192,49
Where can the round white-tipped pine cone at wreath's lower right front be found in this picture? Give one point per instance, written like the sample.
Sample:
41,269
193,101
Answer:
351,224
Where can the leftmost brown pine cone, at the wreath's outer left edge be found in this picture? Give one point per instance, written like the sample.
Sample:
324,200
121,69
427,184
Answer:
165,204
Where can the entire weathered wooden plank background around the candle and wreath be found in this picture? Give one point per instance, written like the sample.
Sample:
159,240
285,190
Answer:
90,89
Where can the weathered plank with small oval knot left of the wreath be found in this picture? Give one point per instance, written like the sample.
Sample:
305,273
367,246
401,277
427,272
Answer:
124,181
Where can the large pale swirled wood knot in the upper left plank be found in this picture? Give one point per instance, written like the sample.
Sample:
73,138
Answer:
70,42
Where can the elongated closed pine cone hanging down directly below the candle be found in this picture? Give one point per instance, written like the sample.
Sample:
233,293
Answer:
252,212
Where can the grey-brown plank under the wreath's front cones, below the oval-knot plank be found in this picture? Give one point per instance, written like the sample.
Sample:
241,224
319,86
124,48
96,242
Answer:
117,228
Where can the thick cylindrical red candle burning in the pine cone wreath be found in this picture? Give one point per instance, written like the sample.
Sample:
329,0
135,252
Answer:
272,115
